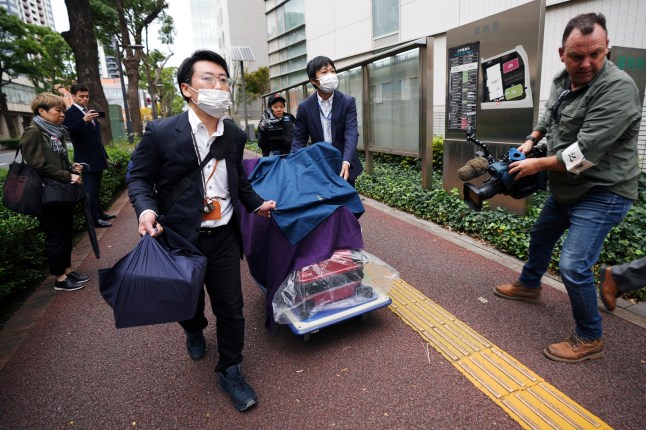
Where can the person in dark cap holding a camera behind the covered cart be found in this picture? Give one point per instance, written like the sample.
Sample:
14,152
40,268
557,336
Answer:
276,128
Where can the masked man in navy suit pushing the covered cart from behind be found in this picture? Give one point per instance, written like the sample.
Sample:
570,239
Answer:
329,116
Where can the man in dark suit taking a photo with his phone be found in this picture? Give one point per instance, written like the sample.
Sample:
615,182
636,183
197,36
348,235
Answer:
85,133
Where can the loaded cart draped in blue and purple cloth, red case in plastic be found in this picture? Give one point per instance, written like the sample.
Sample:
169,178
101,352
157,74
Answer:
303,244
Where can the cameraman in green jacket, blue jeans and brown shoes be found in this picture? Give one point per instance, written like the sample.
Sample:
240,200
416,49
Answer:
591,124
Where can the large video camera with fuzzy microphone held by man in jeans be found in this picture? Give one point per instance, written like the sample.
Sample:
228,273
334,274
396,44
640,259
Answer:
501,181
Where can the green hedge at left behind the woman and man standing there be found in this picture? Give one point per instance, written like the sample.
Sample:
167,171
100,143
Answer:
22,255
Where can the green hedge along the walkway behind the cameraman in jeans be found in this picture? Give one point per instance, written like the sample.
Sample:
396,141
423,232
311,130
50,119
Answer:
397,182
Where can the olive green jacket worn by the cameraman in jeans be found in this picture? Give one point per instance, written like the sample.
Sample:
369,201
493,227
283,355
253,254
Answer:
604,118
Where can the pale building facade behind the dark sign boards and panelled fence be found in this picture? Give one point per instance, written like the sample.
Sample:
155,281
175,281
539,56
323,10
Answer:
379,38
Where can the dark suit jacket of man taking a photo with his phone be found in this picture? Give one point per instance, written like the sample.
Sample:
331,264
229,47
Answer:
86,140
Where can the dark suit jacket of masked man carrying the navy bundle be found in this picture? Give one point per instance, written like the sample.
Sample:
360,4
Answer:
164,156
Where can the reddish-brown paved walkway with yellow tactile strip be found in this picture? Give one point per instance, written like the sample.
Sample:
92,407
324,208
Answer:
64,365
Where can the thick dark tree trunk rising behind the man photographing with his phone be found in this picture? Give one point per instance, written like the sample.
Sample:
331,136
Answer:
81,39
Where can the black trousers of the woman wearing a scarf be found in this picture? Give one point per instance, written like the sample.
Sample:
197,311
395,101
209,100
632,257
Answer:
58,224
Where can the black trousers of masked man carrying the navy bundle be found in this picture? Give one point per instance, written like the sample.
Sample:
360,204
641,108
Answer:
224,286
